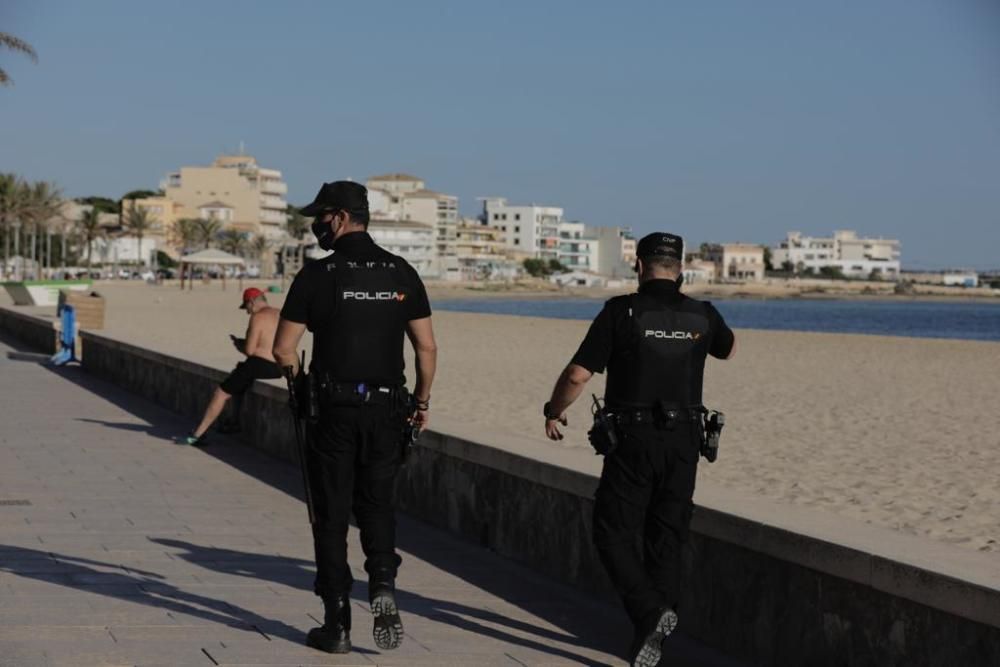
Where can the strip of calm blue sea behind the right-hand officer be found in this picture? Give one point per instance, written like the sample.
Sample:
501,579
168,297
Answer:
918,319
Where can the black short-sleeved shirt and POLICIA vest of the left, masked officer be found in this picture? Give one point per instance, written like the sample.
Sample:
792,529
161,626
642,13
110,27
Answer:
357,302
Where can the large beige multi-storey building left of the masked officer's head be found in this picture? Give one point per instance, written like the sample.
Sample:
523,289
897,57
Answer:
233,189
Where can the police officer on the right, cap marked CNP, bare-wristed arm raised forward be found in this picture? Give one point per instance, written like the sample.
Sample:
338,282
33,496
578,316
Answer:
653,345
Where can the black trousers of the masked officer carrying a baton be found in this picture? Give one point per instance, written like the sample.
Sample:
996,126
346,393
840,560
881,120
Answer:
353,456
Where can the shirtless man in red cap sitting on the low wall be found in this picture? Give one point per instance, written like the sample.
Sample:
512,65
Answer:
259,364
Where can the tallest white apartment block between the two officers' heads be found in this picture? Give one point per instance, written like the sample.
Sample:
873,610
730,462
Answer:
529,231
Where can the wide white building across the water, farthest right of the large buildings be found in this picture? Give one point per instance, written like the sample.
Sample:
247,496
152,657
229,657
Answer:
853,255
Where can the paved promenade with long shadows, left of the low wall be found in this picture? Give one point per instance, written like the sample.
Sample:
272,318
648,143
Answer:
118,547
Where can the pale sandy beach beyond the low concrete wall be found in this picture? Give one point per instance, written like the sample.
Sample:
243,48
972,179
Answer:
896,432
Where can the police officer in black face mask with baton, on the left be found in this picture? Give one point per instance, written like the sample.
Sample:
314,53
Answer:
358,302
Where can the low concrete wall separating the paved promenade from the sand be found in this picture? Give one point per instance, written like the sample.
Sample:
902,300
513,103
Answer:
773,585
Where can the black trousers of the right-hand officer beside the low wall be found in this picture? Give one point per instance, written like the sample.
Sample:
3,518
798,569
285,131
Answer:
644,497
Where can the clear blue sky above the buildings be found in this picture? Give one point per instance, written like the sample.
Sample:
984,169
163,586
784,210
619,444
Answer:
725,120
